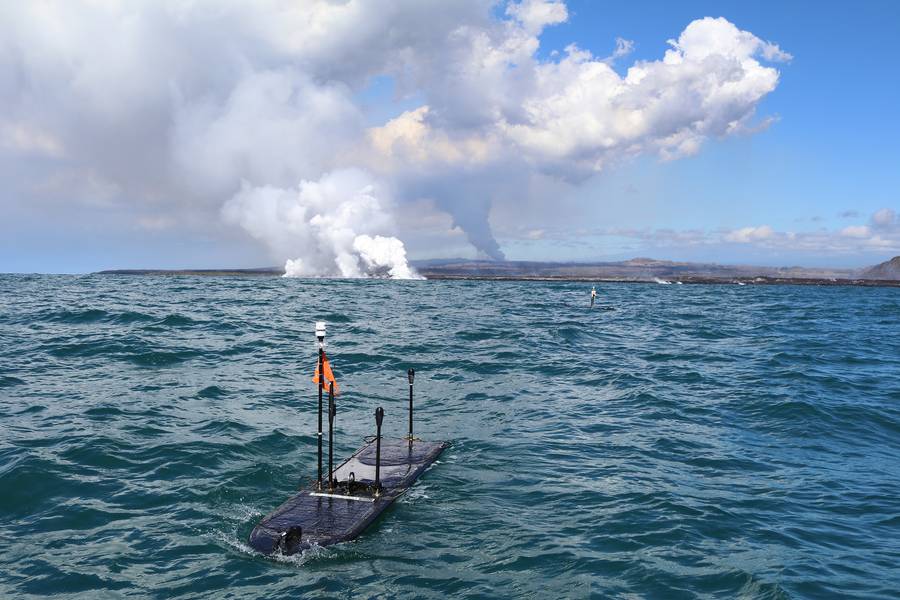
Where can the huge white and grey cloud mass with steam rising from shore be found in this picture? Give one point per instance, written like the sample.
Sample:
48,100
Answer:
255,112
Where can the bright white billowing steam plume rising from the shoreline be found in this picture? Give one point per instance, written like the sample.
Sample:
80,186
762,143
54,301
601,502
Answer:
324,225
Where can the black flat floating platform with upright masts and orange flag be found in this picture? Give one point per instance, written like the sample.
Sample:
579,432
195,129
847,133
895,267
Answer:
357,491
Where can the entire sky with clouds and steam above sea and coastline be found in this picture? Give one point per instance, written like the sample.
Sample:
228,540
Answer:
345,138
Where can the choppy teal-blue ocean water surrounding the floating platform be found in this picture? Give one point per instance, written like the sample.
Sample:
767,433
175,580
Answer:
673,442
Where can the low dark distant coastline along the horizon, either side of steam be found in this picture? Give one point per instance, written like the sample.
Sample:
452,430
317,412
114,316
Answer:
638,270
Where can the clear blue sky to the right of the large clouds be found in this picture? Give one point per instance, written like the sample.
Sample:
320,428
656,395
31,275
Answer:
832,150
